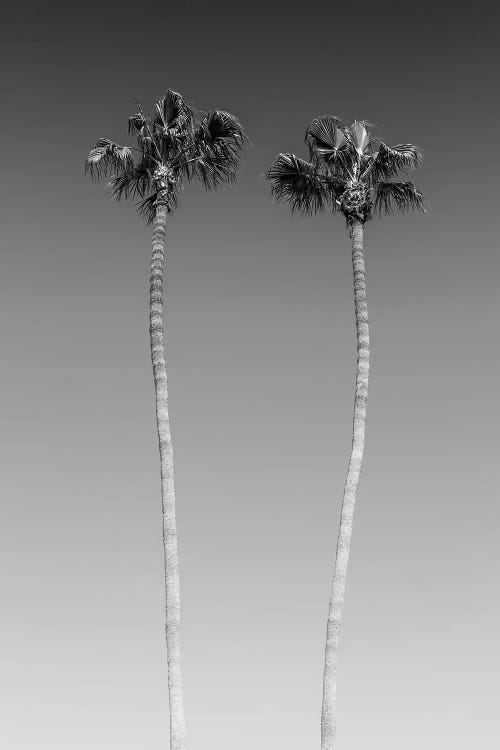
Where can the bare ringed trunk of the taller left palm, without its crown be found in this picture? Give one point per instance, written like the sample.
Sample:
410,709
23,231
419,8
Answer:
177,722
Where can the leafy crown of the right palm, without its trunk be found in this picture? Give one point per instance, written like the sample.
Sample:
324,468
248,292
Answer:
349,171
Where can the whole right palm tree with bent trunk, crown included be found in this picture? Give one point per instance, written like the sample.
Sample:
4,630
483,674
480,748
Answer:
351,173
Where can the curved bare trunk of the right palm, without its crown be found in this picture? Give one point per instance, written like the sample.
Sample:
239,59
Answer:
328,714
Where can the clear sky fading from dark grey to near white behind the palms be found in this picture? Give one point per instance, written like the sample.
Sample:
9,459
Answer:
261,357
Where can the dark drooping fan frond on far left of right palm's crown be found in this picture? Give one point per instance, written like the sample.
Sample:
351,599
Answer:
298,183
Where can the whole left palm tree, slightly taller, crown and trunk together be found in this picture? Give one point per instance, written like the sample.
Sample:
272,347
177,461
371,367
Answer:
174,145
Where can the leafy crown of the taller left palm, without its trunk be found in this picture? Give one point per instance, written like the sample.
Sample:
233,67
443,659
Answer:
174,145
